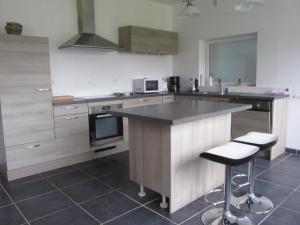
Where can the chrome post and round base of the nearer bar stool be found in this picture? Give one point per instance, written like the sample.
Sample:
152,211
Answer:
218,216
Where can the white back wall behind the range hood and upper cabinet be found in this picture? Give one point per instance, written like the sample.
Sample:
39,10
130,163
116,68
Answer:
90,72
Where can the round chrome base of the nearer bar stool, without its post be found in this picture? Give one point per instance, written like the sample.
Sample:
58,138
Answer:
216,216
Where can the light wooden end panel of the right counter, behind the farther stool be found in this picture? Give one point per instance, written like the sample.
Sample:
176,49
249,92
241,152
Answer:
279,126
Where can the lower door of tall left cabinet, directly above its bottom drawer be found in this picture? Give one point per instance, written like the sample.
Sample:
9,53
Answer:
27,118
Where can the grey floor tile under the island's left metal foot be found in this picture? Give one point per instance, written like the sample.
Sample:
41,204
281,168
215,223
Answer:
132,190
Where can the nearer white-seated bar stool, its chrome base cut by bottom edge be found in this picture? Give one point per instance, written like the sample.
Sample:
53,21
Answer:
231,154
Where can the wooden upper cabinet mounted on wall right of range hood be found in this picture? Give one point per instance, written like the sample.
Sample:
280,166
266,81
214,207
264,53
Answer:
148,41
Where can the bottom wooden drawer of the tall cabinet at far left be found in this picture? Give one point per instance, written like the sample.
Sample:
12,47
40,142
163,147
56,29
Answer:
30,154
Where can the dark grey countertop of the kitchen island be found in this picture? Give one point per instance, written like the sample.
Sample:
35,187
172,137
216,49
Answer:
181,112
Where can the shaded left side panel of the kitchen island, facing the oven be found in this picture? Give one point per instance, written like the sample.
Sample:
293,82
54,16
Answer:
149,149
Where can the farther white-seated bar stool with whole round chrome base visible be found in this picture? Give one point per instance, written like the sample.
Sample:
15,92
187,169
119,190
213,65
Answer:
250,202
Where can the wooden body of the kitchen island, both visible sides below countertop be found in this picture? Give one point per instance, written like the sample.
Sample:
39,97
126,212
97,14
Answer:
165,158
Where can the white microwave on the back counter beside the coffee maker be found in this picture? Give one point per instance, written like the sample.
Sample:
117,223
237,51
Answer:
146,85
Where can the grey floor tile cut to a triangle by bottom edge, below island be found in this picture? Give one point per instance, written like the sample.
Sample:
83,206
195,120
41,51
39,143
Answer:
140,216
